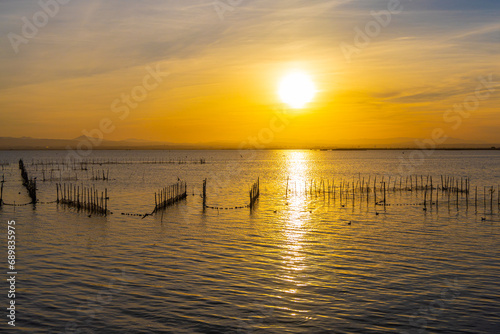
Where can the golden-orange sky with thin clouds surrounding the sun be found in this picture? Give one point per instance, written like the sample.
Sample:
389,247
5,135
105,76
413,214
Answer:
207,71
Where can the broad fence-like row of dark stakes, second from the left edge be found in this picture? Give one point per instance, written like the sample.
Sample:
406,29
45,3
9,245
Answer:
83,198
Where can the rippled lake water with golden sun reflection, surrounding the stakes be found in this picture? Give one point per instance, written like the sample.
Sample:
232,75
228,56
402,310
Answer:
292,265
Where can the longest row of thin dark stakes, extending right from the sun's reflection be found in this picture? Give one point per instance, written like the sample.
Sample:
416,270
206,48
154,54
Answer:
451,188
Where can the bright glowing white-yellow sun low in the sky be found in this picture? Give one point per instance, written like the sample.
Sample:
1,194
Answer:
297,89
